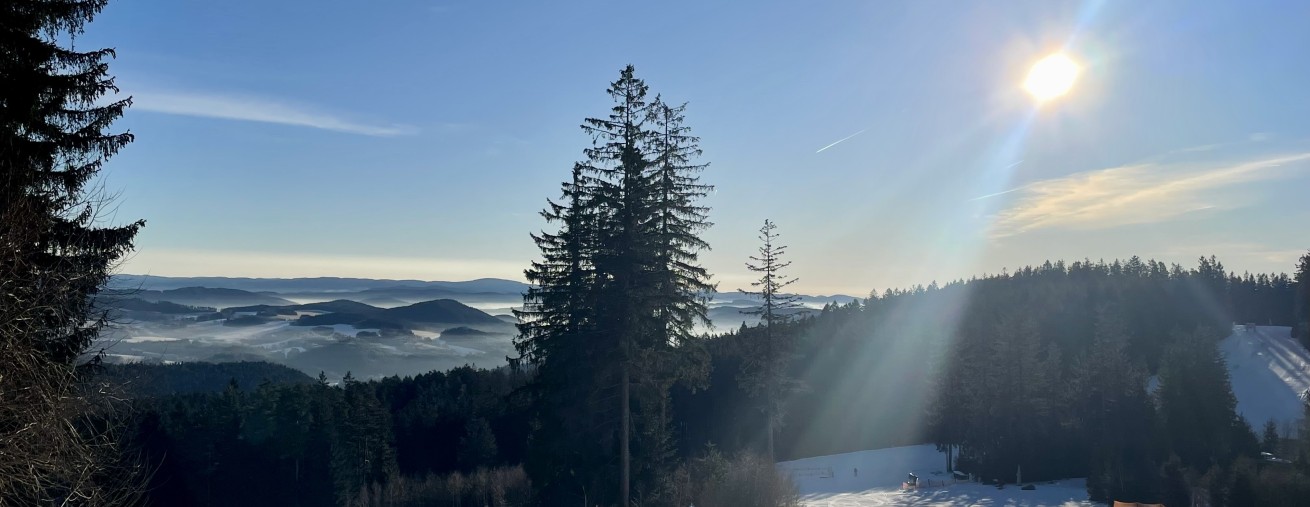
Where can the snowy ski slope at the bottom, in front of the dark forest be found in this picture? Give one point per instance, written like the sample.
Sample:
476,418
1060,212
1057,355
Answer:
874,479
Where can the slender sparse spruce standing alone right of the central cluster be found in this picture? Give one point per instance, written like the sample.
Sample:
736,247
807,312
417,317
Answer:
766,364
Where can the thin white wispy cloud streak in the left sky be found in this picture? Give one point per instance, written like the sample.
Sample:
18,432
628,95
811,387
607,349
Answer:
257,109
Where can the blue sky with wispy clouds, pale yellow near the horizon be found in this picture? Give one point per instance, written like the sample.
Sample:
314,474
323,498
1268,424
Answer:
891,142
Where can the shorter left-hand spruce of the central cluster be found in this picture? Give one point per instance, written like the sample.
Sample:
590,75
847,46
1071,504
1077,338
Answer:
557,335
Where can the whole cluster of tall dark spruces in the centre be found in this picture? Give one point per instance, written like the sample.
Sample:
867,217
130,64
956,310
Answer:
620,290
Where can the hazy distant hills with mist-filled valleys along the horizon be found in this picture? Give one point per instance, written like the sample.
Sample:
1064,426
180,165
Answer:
336,326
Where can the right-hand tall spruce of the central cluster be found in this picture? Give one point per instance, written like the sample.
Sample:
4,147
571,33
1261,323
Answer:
682,288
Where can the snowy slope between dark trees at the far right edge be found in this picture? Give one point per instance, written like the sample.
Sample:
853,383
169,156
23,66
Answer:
1270,370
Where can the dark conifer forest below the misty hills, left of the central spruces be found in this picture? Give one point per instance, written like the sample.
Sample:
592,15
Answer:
298,443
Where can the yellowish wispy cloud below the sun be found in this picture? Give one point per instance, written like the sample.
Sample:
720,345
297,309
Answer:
1136,195
